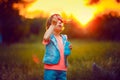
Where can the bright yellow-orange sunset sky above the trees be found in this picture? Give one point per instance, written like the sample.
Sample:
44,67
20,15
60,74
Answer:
78,8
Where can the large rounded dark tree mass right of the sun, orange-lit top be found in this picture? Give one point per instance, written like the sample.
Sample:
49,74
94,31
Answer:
105,27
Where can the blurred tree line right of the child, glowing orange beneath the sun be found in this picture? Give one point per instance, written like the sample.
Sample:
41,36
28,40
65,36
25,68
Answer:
103,27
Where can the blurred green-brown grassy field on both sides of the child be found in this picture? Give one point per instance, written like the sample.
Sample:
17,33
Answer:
16,61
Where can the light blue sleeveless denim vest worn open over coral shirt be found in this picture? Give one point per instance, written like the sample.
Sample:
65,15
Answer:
52,54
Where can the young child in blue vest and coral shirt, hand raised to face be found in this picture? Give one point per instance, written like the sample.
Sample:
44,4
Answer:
57,49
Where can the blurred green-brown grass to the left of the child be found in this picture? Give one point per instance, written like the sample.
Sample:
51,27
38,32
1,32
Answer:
17,63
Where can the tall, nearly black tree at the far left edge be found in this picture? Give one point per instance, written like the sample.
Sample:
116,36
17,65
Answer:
9,20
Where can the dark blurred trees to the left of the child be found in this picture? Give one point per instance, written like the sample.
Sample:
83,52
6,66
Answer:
13,27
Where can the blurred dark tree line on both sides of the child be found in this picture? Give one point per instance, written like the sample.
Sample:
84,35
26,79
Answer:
13,27
